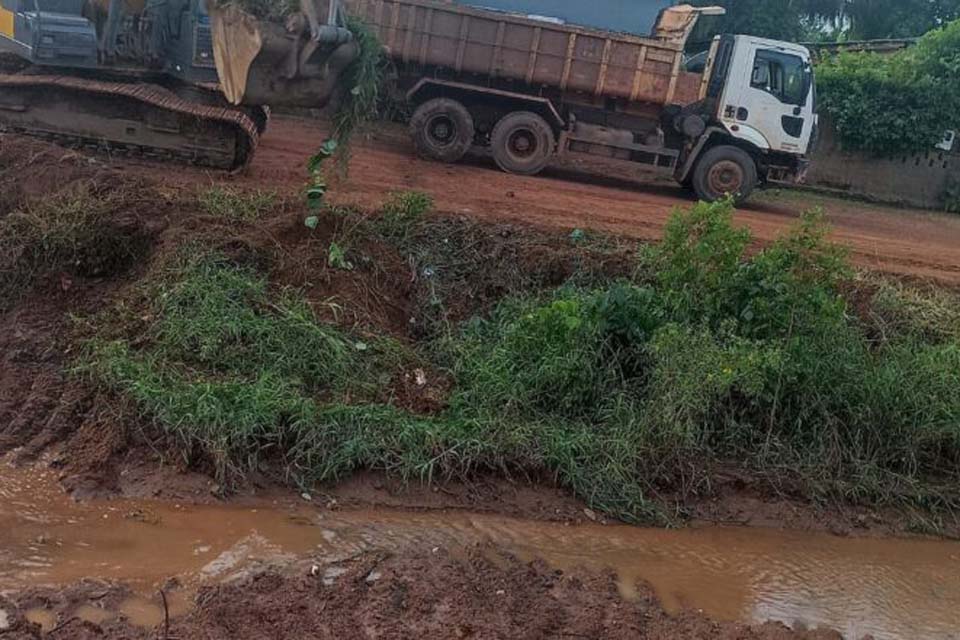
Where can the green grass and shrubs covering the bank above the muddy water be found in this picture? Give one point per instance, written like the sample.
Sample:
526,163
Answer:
708,356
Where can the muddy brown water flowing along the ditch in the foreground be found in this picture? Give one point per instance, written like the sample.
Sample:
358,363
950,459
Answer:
906,589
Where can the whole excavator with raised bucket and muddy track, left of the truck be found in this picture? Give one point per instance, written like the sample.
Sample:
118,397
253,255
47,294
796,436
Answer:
187,81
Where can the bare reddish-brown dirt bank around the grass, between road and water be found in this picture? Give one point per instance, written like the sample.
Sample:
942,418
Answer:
101,447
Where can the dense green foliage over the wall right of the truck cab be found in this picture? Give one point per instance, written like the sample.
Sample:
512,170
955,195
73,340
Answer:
895,104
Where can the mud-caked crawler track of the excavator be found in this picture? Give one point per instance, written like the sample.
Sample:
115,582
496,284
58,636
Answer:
126,119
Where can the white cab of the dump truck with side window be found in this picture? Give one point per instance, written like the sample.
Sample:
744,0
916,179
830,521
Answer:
769,96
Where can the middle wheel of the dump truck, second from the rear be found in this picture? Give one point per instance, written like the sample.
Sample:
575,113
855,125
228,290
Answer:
522,143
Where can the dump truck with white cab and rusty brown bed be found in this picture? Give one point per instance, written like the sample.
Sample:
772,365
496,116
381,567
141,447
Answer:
532,79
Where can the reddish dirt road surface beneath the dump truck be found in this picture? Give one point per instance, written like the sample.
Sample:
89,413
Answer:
899,241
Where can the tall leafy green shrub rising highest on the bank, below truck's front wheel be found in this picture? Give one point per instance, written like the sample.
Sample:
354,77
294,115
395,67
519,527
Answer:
705,278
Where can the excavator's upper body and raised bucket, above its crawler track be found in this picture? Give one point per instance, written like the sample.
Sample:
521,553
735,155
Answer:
258,61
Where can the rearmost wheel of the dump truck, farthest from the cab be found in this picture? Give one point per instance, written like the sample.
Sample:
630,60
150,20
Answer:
442,129
